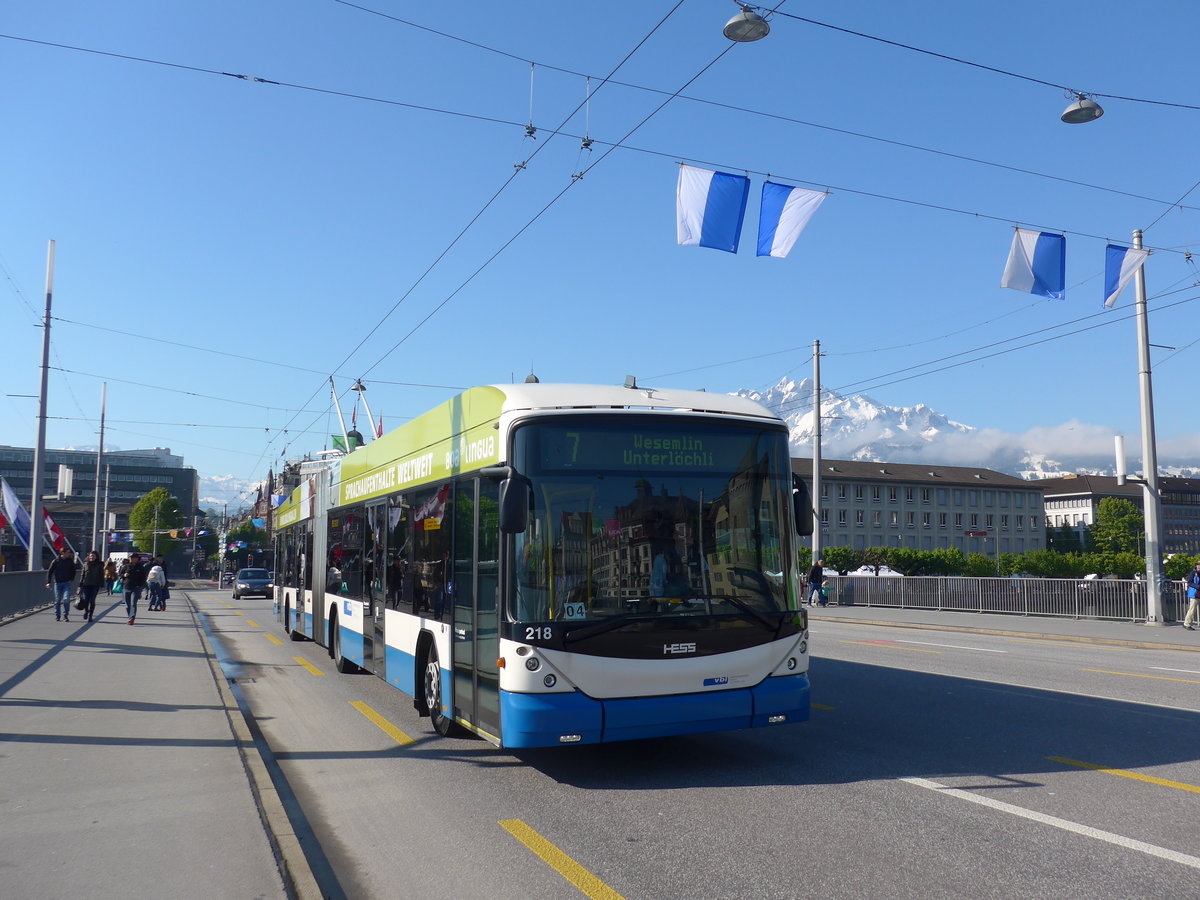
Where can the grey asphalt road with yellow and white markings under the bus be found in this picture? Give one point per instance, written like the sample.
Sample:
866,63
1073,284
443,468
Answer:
935,766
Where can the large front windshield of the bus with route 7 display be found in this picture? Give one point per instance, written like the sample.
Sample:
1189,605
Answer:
668,517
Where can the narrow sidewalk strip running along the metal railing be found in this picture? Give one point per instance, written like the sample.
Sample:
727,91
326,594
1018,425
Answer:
1129,634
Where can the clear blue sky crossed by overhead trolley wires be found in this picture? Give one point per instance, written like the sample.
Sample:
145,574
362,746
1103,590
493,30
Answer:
281,224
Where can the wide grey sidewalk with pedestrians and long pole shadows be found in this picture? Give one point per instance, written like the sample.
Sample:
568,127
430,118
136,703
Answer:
127,767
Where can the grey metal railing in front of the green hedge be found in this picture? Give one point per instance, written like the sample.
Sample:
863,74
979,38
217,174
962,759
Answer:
1072,598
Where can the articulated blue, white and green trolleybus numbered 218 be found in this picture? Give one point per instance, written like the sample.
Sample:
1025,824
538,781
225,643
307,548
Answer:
548,565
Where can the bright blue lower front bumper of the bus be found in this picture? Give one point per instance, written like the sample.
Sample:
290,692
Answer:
544,719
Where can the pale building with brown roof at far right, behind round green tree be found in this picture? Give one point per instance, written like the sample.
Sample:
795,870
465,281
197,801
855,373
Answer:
1075,501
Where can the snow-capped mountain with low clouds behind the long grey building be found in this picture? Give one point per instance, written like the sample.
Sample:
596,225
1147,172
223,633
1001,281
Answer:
857,428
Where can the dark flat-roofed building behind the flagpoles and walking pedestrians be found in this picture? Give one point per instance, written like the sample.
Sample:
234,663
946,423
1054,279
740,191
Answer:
130,475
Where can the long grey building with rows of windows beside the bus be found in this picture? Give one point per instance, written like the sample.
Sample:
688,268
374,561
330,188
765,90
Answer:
885,505
